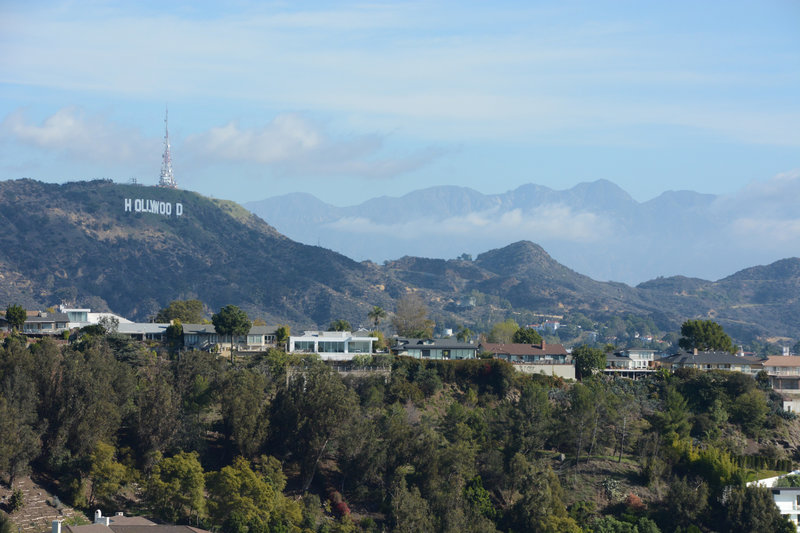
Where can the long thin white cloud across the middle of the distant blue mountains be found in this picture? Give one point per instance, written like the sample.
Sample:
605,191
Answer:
545,223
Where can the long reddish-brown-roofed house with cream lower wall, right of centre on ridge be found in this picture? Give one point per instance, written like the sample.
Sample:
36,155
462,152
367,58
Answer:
544,358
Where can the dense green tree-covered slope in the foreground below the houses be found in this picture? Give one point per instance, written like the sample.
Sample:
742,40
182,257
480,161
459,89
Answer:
277,442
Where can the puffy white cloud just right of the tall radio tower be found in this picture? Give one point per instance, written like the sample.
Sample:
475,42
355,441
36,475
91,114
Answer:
294,145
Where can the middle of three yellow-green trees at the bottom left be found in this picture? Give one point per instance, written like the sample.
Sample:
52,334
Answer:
175,489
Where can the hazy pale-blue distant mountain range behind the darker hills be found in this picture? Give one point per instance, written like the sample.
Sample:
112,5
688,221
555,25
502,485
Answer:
595,228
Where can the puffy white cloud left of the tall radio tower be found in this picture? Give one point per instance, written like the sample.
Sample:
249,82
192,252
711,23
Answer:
71,132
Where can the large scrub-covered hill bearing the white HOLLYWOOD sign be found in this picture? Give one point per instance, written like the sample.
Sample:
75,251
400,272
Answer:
76,242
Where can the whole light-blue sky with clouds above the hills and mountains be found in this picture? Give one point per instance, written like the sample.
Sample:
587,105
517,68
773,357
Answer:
349,101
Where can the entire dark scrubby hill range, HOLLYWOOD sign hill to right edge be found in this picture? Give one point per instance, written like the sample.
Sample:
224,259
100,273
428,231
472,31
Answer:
113,246
